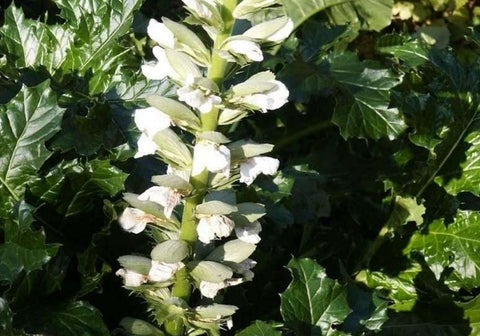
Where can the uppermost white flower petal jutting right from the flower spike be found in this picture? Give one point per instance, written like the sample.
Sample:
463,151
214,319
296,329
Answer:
274,30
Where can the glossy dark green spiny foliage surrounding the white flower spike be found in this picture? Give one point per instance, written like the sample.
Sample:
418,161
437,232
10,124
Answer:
377,199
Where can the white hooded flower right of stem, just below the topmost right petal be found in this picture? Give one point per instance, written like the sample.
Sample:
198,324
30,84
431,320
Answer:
243,48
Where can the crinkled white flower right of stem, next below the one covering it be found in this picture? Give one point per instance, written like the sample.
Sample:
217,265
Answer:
214,227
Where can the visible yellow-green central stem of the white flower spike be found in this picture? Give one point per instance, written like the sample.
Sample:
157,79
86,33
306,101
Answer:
188,230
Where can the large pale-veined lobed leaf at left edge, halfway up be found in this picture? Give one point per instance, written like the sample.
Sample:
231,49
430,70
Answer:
26,122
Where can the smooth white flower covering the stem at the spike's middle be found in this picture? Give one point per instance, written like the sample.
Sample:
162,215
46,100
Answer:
212,157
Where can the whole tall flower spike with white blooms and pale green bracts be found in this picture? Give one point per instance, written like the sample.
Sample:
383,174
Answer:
203,238
